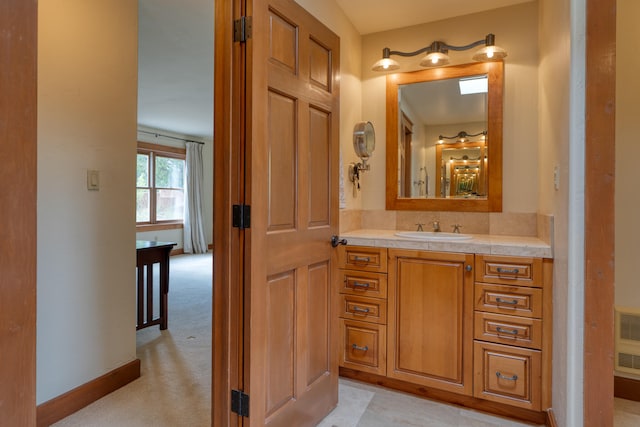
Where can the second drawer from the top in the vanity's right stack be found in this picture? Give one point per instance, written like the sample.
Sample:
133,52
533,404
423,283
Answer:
511,300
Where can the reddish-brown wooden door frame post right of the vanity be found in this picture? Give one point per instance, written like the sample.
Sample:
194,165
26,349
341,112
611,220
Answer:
599,213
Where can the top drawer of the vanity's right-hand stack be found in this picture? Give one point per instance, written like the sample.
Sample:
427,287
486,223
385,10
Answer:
509,270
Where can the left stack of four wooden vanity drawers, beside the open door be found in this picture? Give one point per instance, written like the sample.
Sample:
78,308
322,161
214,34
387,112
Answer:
362,308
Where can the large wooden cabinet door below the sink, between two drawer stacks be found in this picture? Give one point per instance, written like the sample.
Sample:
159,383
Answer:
430,307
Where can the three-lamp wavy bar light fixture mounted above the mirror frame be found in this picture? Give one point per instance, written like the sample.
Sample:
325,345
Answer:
436,54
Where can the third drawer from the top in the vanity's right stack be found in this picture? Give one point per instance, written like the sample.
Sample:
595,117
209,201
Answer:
511,330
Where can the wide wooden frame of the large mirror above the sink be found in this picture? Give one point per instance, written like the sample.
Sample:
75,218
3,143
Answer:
493,202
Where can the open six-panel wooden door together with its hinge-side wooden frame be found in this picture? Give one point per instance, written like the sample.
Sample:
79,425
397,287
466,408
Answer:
285,79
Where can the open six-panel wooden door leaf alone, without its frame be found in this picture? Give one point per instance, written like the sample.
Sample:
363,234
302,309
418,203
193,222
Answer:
292,152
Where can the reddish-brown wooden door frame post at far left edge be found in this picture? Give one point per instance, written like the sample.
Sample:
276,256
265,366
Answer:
18,196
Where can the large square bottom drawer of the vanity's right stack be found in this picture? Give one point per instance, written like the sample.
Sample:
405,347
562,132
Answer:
508,375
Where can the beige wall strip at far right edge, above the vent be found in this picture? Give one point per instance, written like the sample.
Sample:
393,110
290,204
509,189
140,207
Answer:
627,152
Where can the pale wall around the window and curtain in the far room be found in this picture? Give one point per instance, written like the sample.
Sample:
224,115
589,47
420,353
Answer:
177,235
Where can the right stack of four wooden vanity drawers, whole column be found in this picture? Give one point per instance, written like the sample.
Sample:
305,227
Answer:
512,322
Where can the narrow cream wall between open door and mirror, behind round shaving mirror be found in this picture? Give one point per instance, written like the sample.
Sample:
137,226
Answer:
331,15
